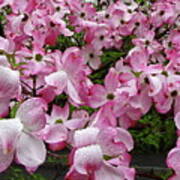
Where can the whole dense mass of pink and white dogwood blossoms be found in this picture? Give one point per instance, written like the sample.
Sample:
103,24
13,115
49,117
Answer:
33,73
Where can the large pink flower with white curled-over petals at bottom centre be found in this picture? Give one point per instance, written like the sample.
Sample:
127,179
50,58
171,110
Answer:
88,161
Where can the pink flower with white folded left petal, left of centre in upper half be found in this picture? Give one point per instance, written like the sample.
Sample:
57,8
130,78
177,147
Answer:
69,73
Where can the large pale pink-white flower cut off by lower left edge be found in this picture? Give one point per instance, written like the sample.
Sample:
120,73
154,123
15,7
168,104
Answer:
18,136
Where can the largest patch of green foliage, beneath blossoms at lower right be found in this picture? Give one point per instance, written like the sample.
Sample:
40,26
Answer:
154,133
